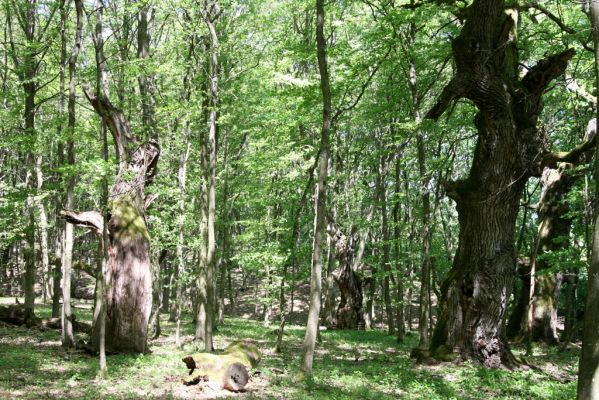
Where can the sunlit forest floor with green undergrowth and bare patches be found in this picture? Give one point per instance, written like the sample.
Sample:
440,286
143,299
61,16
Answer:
347,365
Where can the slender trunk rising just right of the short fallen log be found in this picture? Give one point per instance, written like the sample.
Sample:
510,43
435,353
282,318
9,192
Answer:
320,201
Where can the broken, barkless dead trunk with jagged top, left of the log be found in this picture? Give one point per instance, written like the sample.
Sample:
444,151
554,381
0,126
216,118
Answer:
129,291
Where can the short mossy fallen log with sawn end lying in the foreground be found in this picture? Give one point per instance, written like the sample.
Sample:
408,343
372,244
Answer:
228,370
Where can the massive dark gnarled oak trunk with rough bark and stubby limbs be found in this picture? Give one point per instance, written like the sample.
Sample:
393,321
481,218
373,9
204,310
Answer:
508,151
